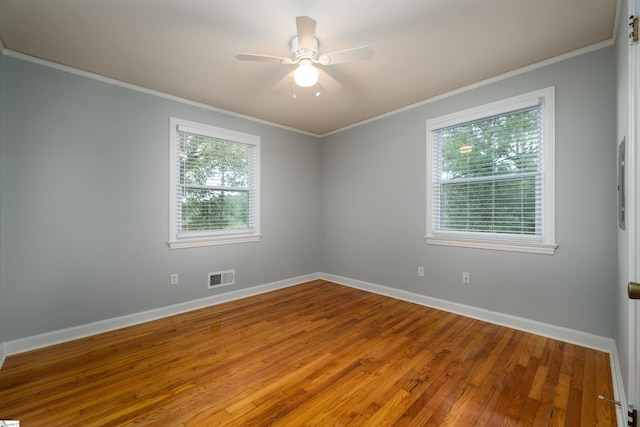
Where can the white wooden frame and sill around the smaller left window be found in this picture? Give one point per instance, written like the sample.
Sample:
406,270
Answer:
212,237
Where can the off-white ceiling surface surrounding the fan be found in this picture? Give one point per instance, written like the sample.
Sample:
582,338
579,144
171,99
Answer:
187,48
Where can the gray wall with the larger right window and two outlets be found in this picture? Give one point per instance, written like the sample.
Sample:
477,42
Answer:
374,206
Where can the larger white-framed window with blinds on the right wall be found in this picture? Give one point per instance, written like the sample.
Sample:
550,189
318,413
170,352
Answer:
491,176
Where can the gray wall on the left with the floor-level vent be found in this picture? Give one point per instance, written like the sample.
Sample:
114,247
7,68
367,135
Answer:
84,203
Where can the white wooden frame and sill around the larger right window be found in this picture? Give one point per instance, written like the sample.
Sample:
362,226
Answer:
547,245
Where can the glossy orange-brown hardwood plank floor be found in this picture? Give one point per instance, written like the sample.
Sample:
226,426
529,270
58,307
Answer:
312,354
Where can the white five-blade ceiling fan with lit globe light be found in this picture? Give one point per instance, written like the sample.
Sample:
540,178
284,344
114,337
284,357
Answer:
304,54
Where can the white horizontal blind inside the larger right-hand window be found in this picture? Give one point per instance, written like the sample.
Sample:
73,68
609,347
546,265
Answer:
487,177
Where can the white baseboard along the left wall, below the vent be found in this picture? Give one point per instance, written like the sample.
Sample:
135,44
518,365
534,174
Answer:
46,339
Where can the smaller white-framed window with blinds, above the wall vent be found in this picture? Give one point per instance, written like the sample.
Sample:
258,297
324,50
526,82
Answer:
214,185
